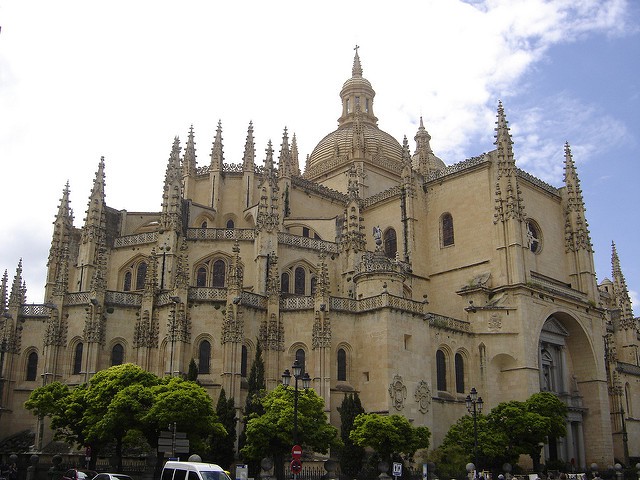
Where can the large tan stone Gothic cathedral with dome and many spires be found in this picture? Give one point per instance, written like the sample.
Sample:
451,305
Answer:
384,272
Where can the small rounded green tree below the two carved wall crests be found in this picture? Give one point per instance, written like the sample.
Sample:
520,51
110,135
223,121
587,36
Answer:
388,434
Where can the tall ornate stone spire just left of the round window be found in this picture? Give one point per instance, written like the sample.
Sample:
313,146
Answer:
511,205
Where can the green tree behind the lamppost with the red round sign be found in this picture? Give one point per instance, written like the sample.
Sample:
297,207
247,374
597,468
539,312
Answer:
271,434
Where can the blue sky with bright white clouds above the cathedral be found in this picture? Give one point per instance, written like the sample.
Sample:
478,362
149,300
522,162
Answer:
79,80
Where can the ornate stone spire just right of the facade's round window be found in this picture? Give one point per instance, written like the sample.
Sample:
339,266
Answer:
576,227
